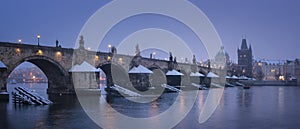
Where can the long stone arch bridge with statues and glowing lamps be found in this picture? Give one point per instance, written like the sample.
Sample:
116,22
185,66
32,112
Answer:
56,62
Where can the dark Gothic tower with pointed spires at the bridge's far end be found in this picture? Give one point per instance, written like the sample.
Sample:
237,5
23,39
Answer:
245,59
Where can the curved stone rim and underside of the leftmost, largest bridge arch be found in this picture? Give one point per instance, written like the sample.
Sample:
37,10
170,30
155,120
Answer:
58,77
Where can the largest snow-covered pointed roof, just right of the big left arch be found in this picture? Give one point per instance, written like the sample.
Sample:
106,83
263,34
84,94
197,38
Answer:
84,67
